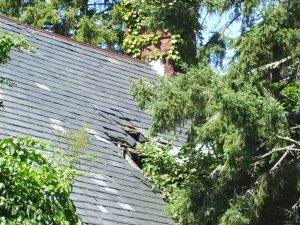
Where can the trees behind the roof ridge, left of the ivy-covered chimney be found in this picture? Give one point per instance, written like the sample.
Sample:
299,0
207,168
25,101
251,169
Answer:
74,18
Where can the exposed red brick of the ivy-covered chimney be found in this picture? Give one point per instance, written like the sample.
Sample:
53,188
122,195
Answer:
163,46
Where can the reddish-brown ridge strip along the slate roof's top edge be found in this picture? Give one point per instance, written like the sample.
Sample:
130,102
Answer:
68,39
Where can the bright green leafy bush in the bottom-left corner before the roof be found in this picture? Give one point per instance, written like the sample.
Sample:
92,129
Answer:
35,189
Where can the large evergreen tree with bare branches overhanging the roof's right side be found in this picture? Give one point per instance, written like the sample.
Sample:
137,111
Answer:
240,164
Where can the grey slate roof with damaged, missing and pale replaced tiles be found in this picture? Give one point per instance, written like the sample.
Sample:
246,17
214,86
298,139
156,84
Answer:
64,85
